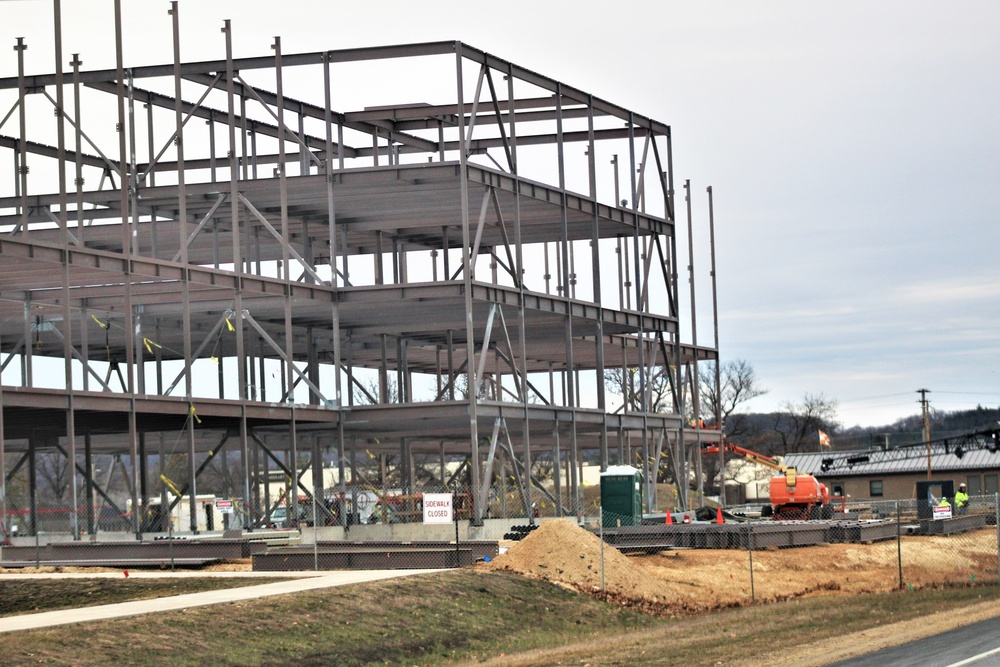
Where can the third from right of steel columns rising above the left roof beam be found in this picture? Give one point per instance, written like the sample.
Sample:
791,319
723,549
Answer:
182,224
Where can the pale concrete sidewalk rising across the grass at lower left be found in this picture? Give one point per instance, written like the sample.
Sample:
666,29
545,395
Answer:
302,582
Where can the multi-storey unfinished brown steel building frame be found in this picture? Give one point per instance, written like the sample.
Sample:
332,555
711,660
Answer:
288,277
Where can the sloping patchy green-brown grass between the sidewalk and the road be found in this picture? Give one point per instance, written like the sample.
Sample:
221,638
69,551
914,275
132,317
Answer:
465,616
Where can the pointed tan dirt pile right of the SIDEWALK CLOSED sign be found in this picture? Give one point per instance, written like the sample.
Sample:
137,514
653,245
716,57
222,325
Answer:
561,552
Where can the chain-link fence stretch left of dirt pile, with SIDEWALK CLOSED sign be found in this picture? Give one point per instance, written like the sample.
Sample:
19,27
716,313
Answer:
359,527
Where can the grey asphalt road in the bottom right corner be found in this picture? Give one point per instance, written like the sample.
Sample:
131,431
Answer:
976,645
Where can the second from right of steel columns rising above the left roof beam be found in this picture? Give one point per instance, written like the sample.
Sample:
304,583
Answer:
238,267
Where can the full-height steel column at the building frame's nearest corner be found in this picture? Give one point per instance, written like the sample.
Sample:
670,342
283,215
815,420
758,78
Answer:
470,332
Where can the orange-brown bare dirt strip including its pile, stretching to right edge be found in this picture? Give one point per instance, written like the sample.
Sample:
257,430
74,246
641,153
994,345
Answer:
693,581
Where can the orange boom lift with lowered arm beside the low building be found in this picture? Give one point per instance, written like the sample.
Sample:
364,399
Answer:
793,495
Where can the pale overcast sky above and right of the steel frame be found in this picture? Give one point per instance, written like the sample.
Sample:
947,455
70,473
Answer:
853,149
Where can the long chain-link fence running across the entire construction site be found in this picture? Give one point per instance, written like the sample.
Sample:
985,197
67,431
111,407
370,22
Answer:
899,543
